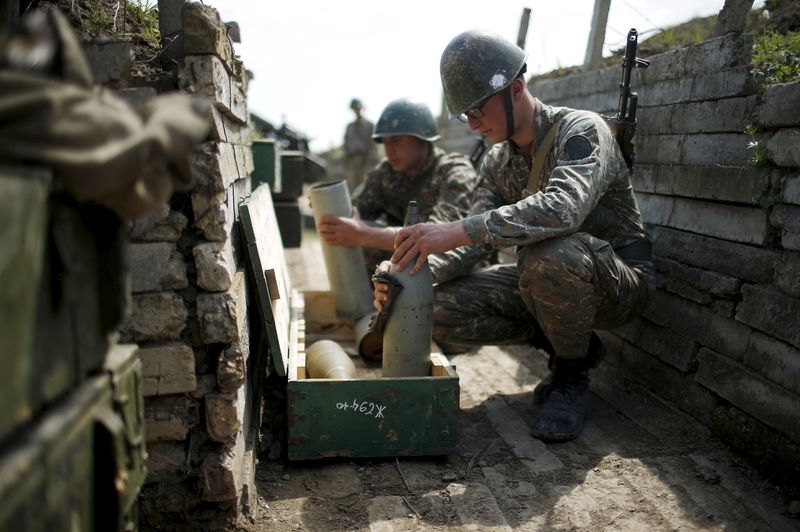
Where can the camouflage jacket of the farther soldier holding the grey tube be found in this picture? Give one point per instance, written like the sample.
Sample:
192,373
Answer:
442,190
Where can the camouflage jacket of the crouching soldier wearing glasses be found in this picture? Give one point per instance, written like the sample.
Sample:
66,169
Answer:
585,188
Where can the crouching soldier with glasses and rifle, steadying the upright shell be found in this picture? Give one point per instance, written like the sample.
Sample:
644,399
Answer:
583,255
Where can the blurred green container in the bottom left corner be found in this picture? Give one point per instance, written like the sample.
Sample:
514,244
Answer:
81,463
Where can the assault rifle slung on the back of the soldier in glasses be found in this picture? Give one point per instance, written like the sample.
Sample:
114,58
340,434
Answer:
624,123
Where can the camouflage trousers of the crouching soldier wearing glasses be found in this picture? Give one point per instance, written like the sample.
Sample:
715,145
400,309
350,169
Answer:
559,290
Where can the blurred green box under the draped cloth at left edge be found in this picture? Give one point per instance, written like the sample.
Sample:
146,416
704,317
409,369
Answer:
64,292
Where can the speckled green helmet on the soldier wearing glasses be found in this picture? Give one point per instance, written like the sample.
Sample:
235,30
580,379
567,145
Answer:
475,65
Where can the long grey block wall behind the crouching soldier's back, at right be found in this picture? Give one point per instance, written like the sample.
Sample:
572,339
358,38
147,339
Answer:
721,339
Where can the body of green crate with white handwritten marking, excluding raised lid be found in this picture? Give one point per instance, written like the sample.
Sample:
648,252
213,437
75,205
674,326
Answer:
368,416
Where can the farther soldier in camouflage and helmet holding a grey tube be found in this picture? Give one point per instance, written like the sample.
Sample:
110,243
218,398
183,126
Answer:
414,169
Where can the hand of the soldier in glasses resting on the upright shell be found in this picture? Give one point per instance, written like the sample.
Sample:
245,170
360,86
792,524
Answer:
415,243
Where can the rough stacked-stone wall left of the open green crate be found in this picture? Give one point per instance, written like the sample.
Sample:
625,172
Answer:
190,308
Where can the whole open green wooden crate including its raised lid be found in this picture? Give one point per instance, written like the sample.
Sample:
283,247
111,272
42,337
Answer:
364,417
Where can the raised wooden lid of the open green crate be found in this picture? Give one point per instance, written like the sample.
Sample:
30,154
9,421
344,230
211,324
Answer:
267,262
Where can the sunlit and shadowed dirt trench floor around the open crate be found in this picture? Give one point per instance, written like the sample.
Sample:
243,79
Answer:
639,465
